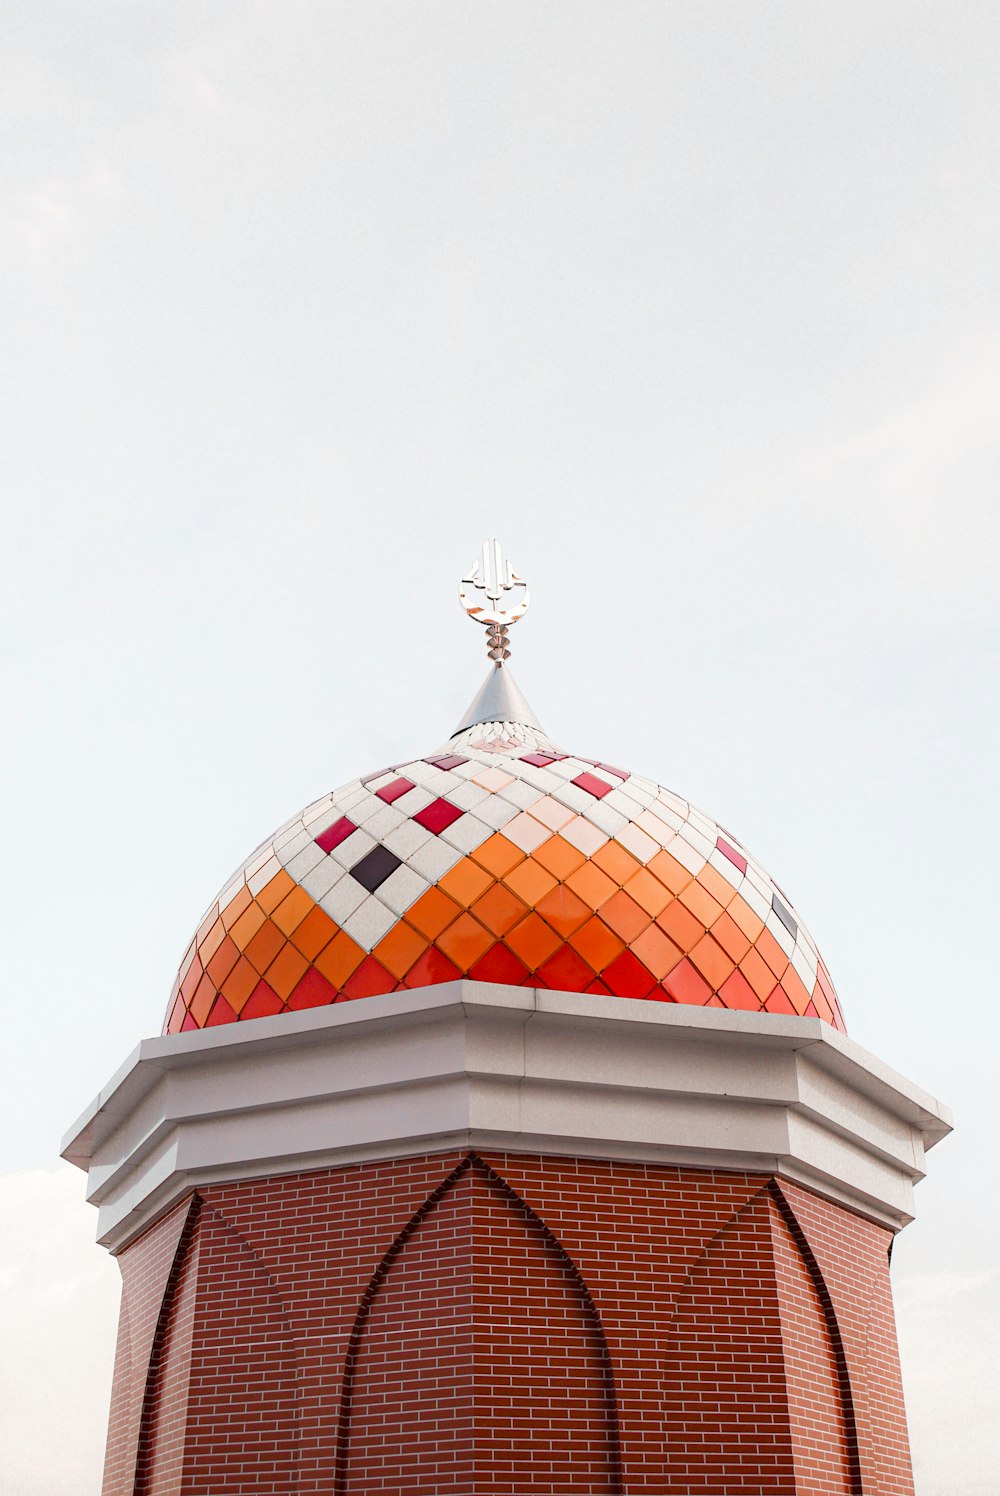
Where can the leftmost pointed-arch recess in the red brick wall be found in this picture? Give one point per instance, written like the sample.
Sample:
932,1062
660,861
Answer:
222,1413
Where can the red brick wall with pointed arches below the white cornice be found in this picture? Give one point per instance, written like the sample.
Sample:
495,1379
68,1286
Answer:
522,1323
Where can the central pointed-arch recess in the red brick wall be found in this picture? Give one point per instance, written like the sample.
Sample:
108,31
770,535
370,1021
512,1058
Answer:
478,1359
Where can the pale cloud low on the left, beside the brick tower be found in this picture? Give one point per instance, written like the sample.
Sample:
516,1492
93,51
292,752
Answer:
59,1314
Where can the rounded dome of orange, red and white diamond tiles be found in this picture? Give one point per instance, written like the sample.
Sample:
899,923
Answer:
501,859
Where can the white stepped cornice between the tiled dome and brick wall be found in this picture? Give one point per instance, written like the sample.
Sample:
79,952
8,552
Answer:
471,1064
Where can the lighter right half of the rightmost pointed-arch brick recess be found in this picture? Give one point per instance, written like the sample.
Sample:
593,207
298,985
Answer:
821,1405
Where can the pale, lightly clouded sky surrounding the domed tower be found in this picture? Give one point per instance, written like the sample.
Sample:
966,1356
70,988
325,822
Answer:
697,307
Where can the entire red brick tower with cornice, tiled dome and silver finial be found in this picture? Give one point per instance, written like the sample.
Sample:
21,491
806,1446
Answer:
505,1138
